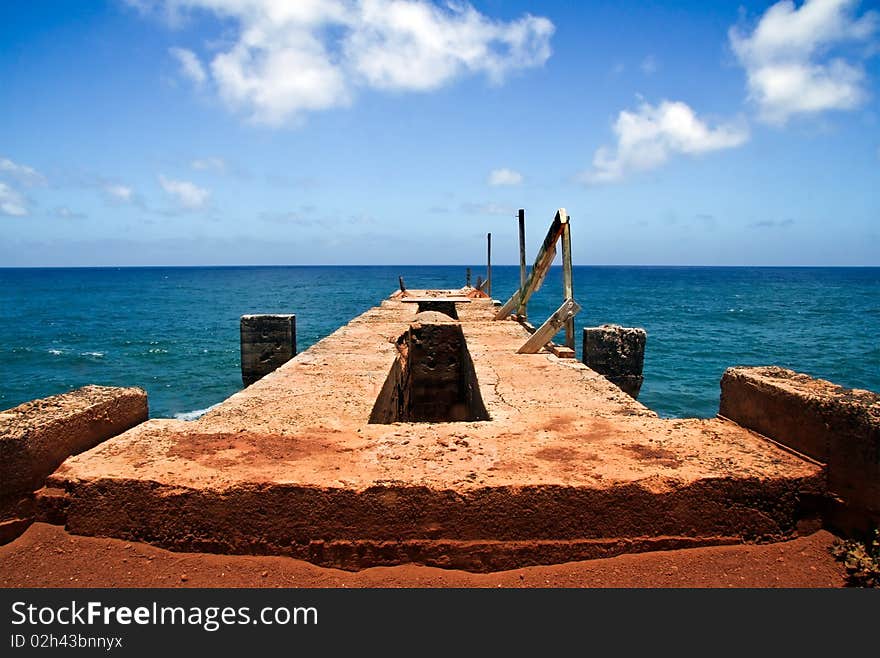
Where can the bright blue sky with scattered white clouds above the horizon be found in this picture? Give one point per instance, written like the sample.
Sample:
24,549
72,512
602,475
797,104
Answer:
192,132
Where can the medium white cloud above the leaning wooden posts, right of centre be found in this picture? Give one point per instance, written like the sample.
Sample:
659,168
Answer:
648,137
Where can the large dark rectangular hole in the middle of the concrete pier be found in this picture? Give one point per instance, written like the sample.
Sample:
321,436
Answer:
432,379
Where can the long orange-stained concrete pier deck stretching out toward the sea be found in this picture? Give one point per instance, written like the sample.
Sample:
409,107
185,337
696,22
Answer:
567,467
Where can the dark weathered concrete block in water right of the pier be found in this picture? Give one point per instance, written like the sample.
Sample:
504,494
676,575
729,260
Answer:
617,353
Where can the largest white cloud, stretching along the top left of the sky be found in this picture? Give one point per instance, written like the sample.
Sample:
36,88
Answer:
291,58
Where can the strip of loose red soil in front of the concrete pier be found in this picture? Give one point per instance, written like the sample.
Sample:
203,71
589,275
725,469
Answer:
47,556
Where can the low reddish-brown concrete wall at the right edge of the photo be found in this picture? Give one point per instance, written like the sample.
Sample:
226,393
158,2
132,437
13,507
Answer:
835,425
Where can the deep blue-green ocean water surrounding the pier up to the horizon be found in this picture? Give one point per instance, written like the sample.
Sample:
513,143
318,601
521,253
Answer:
175,331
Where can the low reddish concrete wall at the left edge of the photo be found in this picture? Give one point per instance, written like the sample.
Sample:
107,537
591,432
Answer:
35,437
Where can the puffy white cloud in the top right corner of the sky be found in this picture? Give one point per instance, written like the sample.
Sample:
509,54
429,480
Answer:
788,58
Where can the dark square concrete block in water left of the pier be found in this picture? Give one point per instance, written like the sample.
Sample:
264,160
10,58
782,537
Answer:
267,342
